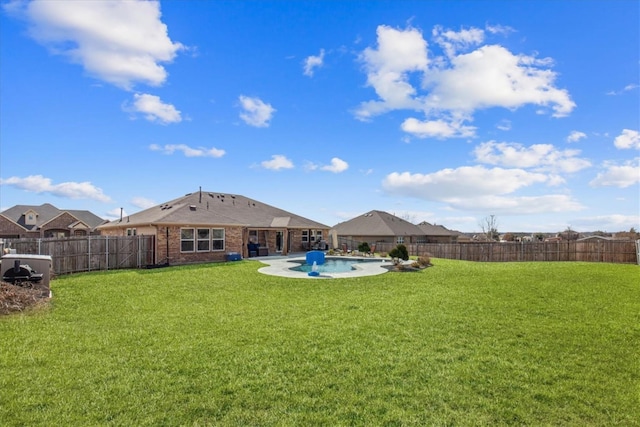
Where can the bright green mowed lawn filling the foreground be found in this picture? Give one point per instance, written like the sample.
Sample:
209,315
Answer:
457,344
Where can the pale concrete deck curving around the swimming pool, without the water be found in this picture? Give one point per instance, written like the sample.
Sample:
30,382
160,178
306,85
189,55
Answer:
281,267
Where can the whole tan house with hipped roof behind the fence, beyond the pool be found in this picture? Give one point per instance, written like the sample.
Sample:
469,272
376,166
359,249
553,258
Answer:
379,227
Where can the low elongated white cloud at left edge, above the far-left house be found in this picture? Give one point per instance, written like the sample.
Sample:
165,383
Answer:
71,190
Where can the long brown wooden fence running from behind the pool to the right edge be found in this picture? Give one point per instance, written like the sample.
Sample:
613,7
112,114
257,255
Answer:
614,251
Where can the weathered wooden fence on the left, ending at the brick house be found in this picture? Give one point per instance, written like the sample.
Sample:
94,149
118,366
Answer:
88,253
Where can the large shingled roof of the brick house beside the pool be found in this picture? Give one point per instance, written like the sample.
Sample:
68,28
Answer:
207,208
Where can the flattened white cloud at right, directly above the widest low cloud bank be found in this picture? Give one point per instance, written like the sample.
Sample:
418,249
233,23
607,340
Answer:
541,157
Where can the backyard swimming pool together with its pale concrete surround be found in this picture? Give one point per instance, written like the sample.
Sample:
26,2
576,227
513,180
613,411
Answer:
333,268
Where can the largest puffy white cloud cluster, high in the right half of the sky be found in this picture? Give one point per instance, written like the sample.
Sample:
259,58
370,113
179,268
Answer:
454,87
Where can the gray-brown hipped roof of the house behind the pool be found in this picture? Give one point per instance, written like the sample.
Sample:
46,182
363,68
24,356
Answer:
377,223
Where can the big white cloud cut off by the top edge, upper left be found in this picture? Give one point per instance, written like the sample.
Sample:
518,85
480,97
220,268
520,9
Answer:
121,42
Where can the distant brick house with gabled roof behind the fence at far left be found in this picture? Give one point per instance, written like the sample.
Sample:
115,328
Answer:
23,221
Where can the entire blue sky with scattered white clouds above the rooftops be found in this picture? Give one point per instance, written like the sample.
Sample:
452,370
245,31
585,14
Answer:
438,111
